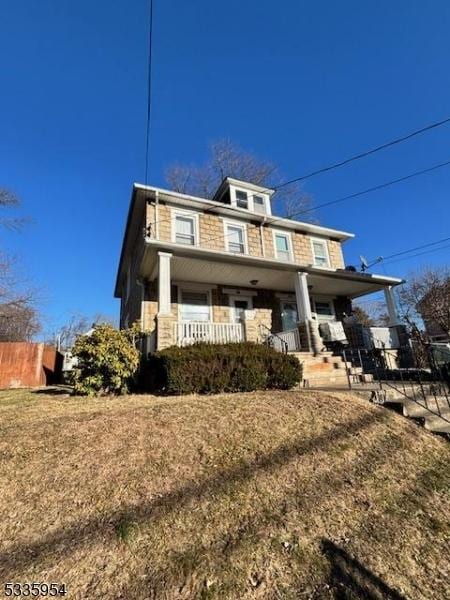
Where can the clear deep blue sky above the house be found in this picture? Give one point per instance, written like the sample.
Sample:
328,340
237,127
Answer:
300,83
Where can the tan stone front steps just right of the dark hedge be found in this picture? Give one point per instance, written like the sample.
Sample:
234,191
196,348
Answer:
325,370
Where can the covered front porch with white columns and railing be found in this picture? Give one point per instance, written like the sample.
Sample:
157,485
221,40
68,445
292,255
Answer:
188,300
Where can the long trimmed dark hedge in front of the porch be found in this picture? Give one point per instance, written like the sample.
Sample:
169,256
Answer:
214,368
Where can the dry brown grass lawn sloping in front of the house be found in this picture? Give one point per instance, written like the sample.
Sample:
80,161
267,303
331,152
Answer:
266,495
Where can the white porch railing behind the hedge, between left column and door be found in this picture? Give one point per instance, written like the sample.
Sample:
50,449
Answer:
190,332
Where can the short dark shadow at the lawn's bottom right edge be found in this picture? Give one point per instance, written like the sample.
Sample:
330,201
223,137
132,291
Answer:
350,579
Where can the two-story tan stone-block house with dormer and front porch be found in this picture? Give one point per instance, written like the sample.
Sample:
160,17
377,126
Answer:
226,270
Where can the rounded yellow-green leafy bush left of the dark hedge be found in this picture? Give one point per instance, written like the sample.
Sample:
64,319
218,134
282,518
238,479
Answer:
107,361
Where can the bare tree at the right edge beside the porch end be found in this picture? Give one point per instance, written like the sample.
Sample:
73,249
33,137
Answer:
426,297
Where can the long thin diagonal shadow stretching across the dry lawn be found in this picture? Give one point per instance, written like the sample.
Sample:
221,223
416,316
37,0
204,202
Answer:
77,535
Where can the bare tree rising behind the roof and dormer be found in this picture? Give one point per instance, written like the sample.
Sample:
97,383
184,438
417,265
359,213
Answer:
229,160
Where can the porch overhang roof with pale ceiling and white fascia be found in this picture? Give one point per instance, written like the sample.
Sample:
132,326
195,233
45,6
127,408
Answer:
197,265
